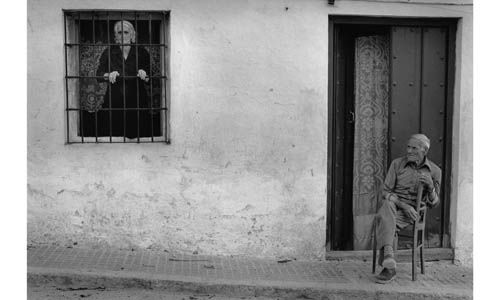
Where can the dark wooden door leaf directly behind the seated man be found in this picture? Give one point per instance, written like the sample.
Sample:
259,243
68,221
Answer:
418,98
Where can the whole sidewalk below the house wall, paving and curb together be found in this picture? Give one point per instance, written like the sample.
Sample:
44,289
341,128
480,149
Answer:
232,276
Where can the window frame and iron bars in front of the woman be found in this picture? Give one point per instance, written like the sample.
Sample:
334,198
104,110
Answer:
72,47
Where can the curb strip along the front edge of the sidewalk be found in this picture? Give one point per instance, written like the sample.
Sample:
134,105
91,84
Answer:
252,288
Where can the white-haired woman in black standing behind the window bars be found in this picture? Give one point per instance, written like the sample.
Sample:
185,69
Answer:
126,67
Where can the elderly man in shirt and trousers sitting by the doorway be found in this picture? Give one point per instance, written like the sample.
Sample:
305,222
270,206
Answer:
399,197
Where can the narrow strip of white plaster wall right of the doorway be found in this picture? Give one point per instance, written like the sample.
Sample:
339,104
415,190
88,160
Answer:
462,148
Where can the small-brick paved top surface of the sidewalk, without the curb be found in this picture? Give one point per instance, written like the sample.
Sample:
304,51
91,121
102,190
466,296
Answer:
440,277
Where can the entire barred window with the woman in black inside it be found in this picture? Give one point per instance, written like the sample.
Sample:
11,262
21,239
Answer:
116,76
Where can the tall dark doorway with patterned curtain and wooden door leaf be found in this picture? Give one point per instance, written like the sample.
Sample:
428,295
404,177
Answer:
389,78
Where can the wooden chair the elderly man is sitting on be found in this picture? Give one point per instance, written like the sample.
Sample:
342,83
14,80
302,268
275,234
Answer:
418,238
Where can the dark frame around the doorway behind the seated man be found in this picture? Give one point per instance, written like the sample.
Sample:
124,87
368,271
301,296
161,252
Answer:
335,20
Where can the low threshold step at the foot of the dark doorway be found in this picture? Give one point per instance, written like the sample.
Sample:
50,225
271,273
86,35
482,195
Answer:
430,254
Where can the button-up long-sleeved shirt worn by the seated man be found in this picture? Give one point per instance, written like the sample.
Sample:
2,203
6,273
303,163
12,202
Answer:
402,181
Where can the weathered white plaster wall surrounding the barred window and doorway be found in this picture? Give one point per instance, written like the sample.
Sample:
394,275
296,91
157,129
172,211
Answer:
246,171
